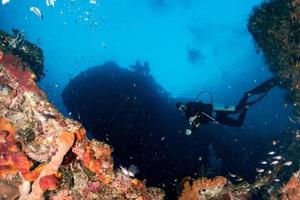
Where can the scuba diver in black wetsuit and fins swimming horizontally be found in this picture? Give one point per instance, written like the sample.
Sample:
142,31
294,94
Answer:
198,112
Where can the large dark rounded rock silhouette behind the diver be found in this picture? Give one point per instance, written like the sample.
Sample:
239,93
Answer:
134,114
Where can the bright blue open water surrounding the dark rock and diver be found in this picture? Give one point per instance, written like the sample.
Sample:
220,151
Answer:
76,35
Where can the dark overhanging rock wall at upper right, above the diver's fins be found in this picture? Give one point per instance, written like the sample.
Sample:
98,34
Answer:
275,27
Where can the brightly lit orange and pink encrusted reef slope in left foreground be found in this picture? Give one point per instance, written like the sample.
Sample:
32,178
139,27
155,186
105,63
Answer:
44,155
